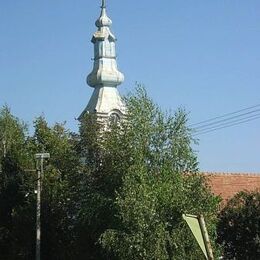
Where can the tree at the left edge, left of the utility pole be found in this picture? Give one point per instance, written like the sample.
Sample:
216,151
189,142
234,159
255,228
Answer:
16,218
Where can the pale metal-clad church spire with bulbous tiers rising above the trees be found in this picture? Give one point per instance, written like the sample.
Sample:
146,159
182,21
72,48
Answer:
105,101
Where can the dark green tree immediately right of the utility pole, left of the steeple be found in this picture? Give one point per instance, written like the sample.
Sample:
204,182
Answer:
58,189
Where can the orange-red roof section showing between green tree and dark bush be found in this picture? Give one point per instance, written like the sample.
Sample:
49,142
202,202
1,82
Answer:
228,184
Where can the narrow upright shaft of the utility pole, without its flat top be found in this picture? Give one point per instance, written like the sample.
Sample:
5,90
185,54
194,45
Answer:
38,213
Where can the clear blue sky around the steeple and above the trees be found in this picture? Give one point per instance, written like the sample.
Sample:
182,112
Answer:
202,55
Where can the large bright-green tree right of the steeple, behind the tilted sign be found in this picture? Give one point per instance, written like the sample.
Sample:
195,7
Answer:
146,176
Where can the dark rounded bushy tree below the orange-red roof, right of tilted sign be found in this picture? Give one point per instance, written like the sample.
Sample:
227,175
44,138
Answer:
239,226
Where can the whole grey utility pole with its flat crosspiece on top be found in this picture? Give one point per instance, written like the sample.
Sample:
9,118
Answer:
39,162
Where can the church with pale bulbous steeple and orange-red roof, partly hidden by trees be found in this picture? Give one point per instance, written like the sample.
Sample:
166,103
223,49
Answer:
106,103
